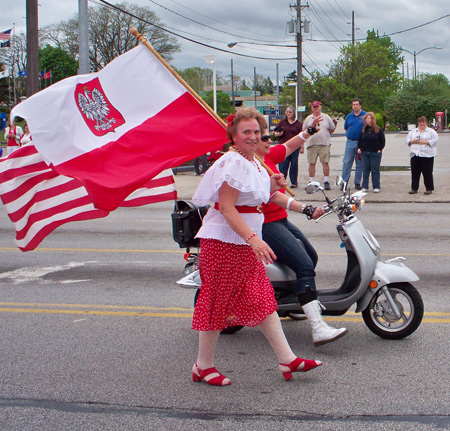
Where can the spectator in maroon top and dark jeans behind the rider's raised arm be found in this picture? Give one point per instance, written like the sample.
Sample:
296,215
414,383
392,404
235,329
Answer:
286,129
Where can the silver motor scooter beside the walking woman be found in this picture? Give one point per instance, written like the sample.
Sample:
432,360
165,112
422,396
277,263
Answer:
391,306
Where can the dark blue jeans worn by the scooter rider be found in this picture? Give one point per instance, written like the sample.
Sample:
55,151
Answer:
294,250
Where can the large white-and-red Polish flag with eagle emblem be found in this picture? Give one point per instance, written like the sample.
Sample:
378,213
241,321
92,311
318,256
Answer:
116,129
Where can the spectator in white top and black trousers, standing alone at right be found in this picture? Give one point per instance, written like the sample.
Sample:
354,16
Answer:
422,144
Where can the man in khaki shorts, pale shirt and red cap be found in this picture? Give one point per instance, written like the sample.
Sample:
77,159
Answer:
318,145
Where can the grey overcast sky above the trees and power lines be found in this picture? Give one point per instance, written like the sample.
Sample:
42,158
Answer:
216,23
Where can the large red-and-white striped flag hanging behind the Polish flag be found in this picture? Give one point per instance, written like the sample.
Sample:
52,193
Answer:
38,200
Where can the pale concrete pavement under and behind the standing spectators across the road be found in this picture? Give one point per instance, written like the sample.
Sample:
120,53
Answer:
395,181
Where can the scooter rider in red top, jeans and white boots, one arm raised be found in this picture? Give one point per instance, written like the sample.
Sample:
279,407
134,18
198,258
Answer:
287,241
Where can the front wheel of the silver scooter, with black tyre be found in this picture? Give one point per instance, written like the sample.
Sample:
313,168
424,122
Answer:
380,318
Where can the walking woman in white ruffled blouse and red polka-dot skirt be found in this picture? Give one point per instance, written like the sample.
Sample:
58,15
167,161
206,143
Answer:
235,288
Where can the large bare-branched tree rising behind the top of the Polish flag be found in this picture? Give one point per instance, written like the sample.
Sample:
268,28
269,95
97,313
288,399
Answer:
109,34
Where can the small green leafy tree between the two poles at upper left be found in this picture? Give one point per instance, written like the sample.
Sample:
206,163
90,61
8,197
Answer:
59,62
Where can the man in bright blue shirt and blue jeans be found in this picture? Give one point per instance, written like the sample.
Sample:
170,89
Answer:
353,125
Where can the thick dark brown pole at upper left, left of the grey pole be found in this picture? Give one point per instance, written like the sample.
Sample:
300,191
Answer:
32,48
